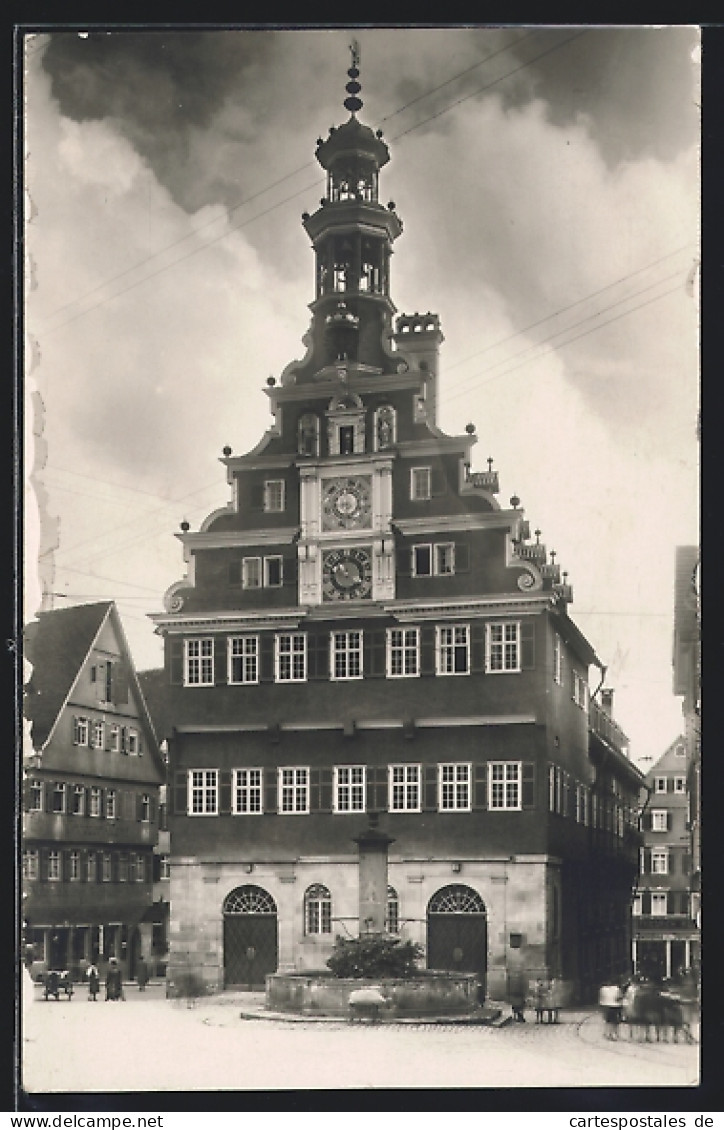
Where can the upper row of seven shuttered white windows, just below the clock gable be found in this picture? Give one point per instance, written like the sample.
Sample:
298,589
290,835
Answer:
496,648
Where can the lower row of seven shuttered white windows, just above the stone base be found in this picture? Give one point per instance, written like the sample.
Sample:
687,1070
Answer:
455,787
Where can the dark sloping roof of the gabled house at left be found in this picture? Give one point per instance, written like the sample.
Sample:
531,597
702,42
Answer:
57,646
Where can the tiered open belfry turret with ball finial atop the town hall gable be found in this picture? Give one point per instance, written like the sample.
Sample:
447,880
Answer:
353,236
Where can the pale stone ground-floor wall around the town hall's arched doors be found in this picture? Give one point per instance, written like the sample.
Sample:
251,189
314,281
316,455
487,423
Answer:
514,892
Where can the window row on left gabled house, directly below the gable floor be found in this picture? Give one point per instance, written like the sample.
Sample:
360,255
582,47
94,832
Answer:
66,798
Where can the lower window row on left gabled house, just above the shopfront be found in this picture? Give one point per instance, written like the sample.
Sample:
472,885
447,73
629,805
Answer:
56,865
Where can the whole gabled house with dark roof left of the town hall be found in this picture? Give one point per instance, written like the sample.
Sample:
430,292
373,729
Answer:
92,776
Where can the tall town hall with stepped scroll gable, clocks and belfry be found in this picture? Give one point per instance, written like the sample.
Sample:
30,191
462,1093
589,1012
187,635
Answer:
365,633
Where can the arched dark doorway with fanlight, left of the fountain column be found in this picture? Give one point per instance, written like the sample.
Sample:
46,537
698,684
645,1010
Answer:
250,937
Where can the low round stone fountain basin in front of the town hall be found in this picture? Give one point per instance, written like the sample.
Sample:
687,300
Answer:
429,994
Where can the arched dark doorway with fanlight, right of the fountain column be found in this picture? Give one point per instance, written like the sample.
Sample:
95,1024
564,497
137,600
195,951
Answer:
458,933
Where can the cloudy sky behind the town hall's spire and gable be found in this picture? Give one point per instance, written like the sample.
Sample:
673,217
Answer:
548,181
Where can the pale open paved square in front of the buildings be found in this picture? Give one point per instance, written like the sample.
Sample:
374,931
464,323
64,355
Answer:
150,1044
